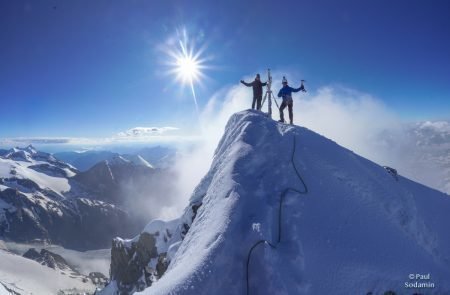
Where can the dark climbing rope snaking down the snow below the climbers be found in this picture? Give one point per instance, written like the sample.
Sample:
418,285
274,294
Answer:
280,211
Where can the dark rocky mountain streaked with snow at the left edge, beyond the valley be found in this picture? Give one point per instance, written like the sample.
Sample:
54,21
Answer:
41,201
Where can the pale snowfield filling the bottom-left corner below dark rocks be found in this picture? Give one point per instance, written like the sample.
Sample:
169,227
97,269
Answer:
26,276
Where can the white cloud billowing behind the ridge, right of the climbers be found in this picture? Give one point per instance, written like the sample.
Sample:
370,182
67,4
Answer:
353,119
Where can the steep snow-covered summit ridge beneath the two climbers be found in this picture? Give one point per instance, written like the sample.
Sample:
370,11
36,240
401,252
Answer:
357,230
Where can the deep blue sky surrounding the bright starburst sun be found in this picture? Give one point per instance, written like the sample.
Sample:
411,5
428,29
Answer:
96,68
